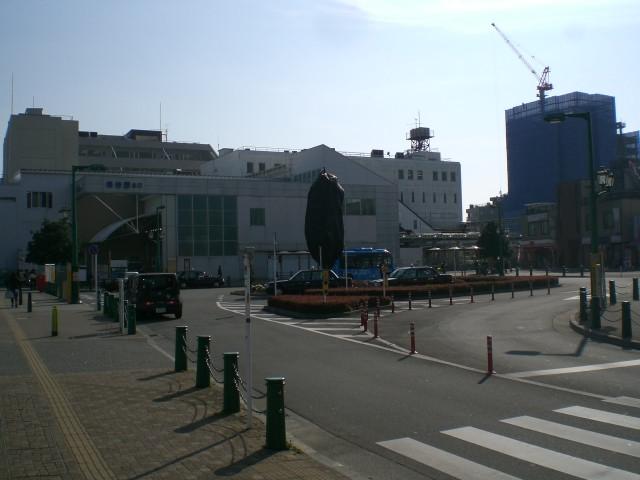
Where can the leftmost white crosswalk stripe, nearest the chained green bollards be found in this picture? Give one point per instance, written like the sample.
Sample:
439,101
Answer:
445,462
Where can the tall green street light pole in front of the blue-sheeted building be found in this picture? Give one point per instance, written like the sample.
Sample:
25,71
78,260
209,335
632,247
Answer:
597,280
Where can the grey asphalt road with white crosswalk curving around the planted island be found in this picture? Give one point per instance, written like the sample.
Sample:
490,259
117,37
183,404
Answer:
372,410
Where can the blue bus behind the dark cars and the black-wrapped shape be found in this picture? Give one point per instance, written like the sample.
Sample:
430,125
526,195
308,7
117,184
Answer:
363,263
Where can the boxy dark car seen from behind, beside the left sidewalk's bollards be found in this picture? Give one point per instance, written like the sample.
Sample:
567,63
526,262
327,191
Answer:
154,294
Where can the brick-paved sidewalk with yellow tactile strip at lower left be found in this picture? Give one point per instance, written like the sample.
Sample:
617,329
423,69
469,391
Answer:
73,407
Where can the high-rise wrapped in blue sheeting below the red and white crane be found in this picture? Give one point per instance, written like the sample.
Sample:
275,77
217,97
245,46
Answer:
541,155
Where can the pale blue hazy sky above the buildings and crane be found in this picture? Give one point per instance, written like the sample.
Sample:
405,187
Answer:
351,74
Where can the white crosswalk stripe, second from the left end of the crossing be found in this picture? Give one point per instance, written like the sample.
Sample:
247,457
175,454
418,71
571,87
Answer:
541,456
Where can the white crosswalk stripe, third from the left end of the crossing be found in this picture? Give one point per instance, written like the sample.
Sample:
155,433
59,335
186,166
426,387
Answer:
586,437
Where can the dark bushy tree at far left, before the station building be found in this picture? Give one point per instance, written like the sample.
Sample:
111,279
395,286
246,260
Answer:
51,244
